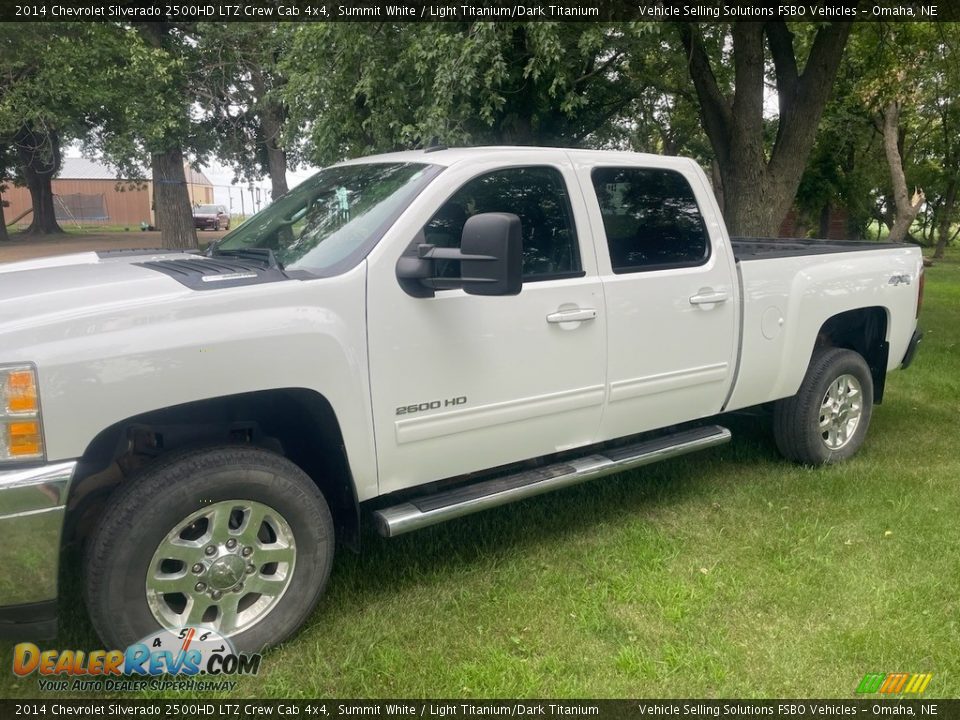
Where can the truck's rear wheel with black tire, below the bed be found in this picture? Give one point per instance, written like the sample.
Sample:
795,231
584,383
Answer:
797,421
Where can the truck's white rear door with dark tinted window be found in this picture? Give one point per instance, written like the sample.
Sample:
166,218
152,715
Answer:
668,282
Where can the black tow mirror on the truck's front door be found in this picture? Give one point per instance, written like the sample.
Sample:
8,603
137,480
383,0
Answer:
490,256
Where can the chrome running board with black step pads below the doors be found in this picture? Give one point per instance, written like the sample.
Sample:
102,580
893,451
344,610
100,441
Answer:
432,509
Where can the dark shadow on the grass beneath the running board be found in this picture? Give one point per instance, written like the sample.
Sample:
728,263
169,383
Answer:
488,538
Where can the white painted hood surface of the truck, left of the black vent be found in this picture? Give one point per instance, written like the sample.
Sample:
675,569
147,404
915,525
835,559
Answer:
36,292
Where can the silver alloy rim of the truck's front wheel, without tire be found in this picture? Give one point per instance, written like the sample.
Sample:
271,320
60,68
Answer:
224,567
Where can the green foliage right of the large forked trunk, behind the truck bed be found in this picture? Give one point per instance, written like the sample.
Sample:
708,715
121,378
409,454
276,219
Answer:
918,66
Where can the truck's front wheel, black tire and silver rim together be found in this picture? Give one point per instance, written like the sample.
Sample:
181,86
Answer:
235,539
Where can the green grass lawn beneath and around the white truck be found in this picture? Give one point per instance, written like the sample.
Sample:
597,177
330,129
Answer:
729,573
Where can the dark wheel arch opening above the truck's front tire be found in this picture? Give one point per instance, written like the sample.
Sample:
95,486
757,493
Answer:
297,423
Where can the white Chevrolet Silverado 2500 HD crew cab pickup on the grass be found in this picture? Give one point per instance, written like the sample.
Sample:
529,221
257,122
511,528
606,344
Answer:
403,339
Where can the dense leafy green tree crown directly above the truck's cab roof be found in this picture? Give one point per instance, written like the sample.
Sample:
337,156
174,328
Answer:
360,88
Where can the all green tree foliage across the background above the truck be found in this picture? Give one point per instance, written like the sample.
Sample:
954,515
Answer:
325,91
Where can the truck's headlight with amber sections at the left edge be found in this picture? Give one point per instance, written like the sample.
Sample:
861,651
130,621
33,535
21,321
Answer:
21,432
